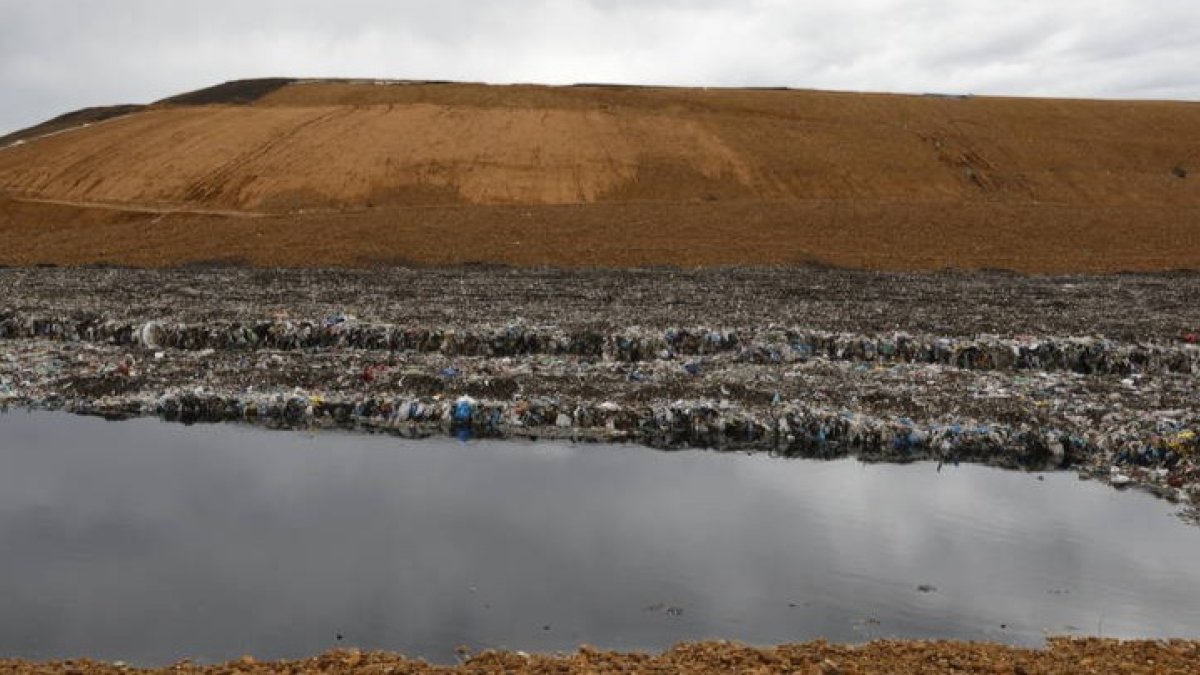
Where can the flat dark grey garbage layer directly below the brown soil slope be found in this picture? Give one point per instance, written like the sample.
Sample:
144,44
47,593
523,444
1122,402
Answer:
1127,308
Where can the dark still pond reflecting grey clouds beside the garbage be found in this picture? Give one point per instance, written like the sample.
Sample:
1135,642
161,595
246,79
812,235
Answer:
149,542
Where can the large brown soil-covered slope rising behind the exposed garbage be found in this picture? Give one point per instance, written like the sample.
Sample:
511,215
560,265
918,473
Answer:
359,172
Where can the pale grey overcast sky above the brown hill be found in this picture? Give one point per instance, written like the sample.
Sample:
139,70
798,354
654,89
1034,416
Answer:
57,56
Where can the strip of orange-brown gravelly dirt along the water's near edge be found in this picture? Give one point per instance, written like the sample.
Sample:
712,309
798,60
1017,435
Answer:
1075,656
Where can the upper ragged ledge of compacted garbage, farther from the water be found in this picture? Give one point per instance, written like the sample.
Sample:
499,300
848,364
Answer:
1089,355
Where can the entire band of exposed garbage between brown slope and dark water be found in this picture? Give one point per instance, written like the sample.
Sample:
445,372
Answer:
1097,375
